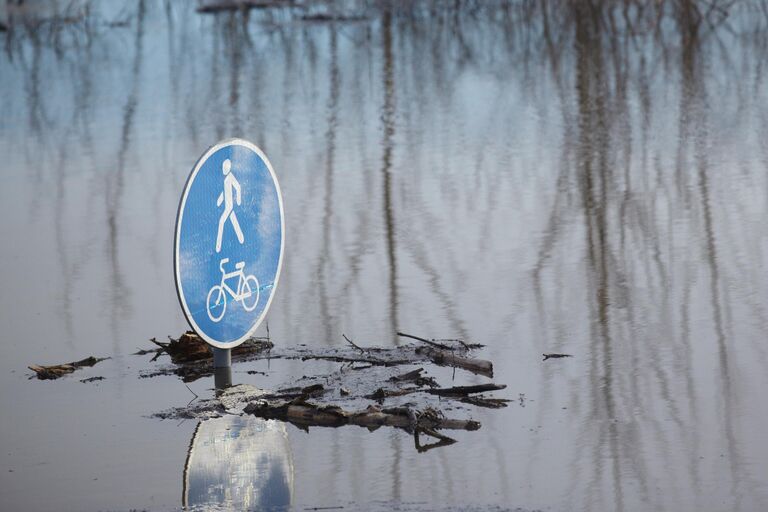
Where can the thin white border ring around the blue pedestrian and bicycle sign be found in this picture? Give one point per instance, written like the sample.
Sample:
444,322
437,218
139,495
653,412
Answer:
179,218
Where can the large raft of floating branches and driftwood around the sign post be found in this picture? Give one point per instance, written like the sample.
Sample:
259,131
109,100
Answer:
354,394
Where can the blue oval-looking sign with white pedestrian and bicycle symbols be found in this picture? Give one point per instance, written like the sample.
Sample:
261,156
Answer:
229,240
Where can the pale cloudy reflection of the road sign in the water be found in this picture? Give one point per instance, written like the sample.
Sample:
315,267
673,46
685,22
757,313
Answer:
239,463
